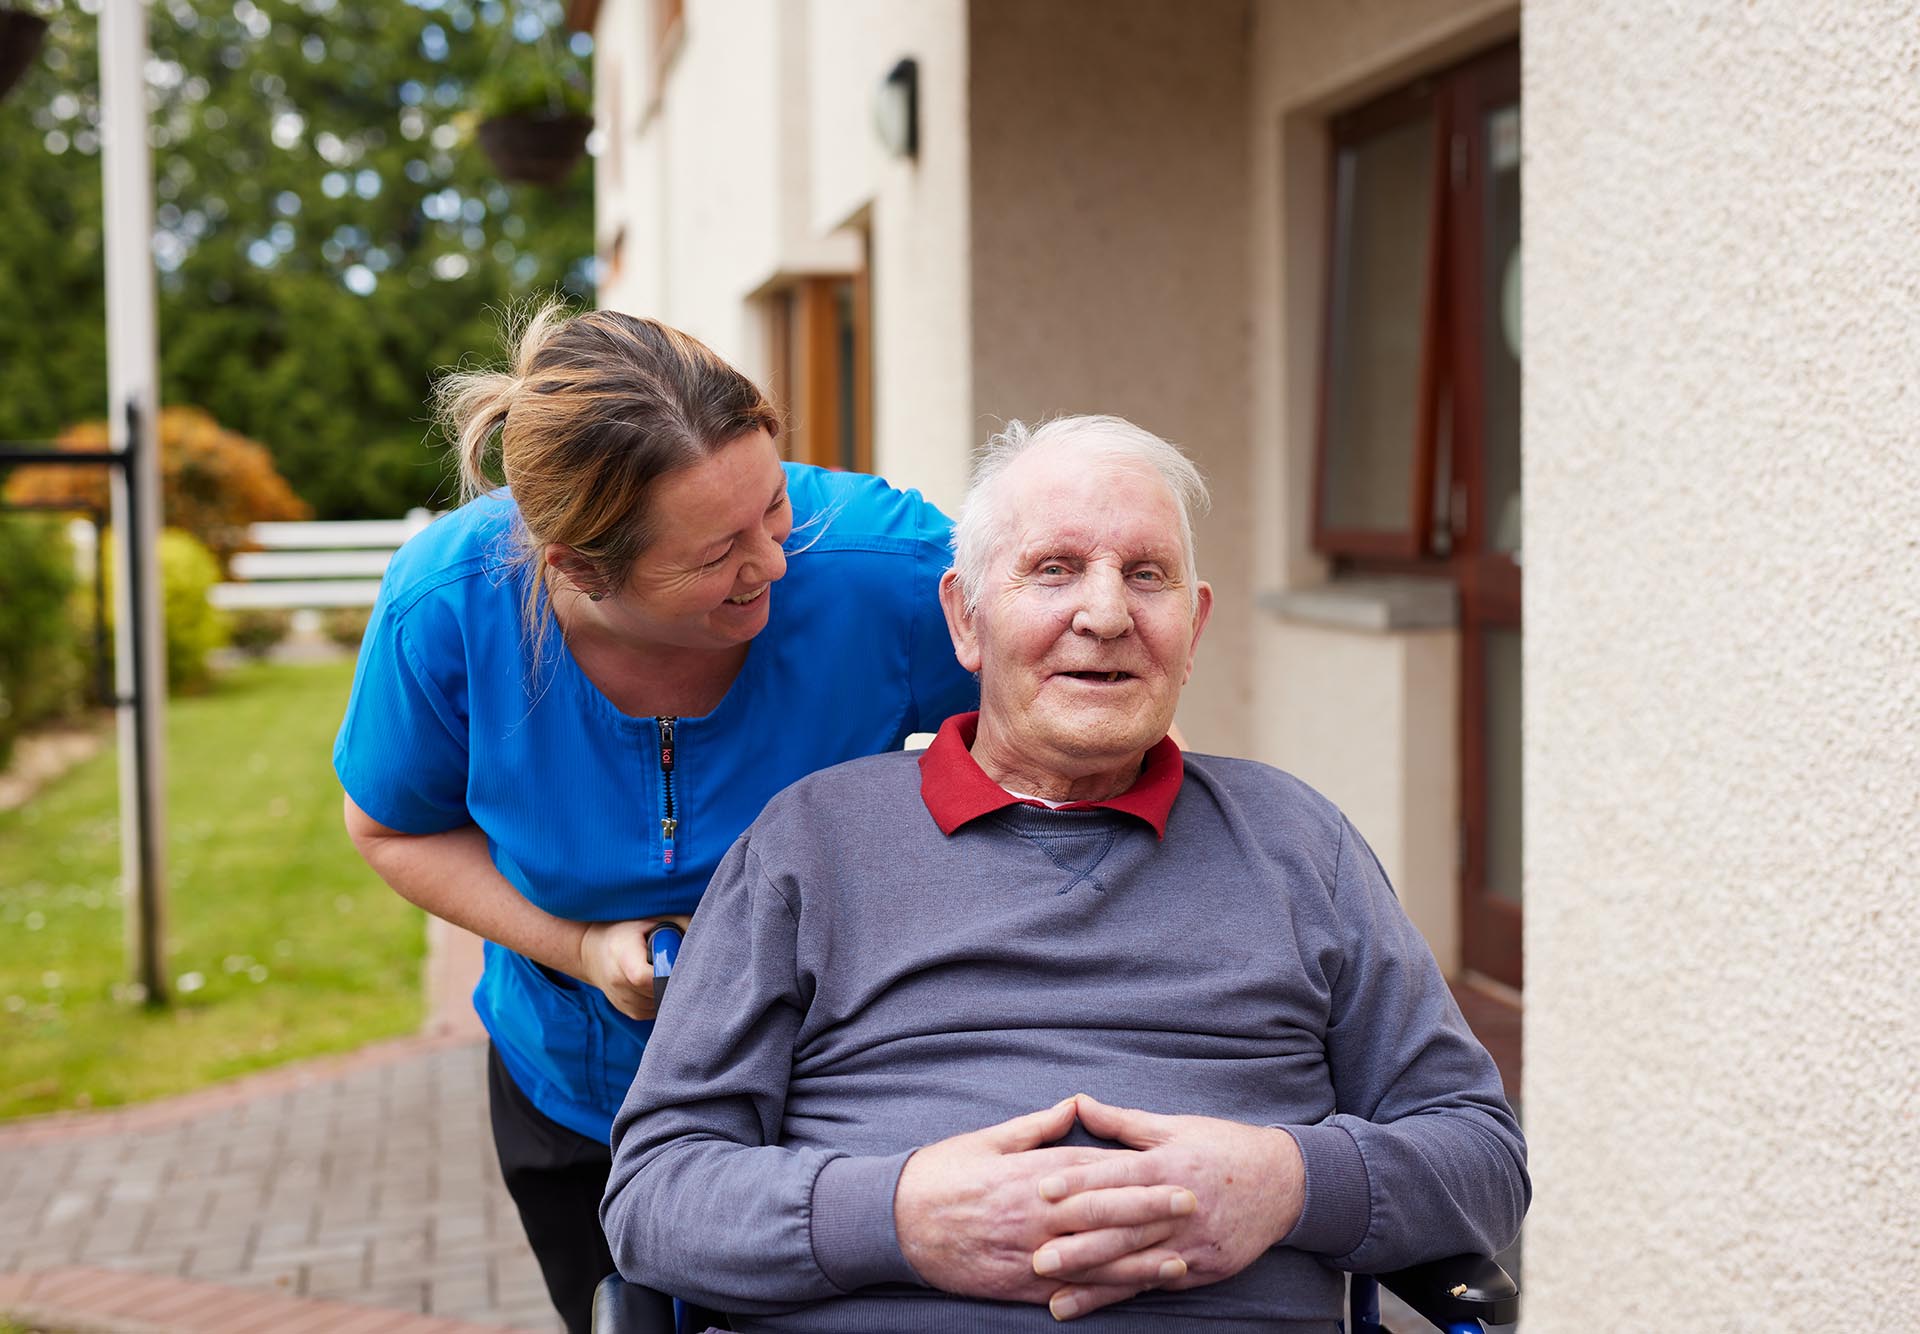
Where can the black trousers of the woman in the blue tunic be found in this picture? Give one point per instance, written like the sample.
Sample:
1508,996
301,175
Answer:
556,1179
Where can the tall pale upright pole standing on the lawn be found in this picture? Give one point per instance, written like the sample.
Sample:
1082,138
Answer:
133,394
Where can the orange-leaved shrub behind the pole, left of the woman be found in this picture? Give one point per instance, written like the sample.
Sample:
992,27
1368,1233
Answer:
212,483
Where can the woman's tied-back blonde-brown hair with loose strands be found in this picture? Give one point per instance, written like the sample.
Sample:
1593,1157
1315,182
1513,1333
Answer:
592,410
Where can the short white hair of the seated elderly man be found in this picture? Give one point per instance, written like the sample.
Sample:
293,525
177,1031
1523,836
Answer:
1097,441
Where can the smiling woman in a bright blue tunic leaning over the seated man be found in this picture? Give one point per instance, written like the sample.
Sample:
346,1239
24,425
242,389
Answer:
579,688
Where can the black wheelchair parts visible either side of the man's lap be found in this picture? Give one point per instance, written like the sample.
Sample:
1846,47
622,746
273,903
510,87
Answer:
1462,1295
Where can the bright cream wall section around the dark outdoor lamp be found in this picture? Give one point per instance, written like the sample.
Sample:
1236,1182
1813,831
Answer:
919,218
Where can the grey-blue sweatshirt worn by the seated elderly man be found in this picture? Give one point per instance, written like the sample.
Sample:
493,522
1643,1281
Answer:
857,986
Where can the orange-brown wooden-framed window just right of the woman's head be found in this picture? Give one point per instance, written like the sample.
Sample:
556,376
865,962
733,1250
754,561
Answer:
823,371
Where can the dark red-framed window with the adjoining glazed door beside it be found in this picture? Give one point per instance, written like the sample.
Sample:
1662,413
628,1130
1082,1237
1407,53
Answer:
1420,442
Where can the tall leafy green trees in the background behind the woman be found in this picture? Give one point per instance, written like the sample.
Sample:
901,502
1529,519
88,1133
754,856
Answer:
327,233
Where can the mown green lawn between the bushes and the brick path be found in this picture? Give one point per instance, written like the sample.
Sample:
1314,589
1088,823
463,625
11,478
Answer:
281,943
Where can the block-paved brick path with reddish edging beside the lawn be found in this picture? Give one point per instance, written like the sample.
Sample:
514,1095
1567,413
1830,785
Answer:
368,1179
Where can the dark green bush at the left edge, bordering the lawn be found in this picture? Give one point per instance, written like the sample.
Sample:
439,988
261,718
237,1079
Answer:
41,665
